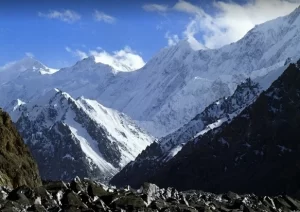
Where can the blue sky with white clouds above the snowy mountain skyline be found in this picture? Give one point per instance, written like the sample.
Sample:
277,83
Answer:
59,33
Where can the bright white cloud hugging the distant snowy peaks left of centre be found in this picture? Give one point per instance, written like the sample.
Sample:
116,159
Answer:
125,59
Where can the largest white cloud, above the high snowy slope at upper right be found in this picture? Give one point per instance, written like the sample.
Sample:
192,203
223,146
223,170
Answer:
231,21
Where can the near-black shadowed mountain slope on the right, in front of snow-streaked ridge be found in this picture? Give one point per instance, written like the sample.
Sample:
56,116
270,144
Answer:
258,151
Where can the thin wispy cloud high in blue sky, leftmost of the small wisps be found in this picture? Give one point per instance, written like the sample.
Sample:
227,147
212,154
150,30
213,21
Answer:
68,16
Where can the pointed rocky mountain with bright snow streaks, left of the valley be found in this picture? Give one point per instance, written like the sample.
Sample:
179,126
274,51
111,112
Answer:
77,137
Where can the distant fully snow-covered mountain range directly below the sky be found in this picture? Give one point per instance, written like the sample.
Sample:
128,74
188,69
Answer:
176,84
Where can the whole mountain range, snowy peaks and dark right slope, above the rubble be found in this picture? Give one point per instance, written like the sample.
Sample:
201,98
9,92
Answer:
220,117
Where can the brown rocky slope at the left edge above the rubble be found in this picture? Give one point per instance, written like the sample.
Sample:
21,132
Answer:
17,166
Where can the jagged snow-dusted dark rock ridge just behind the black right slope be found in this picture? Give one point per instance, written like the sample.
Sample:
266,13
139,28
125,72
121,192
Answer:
161,151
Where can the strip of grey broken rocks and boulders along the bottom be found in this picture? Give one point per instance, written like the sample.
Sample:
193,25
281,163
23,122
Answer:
87,195
